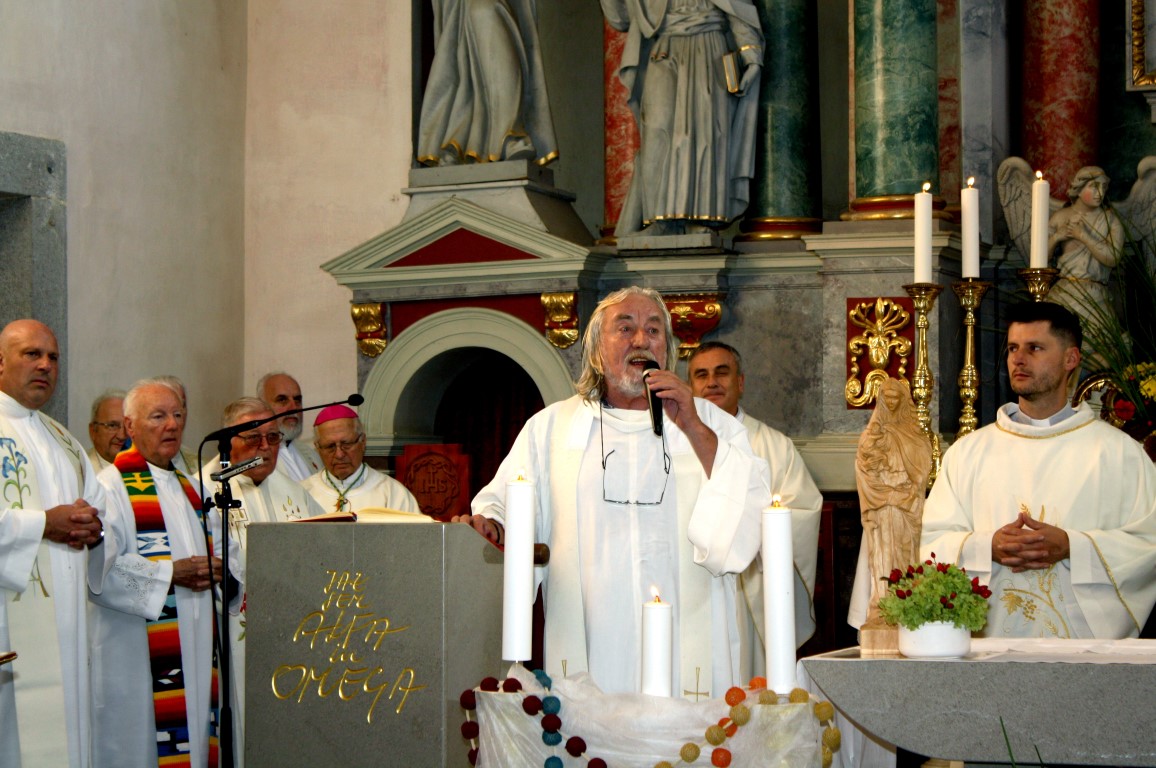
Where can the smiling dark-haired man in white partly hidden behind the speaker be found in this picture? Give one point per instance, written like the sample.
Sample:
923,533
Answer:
715,372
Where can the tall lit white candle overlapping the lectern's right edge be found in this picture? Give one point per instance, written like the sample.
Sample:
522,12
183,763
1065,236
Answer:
518,572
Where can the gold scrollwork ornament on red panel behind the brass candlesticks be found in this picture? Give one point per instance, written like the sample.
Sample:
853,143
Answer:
881,323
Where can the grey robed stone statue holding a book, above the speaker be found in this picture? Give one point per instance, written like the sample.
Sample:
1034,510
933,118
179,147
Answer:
692,70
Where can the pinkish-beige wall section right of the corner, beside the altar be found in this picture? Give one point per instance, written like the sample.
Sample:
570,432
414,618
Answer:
328,152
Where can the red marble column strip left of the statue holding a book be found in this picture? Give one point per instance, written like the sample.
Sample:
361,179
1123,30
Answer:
620,130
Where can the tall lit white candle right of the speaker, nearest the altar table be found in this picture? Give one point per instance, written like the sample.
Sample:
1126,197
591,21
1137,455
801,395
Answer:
779,597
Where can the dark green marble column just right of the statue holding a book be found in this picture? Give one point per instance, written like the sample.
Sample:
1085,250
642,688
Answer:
787,196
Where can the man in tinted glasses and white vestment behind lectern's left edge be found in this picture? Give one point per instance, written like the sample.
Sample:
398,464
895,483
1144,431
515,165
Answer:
266,497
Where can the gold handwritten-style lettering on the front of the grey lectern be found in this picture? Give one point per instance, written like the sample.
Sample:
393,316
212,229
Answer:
347,631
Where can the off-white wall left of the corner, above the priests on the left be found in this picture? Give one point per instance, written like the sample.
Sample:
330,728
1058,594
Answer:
149,99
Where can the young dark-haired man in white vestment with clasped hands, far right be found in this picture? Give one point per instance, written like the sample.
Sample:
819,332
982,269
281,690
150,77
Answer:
1050,506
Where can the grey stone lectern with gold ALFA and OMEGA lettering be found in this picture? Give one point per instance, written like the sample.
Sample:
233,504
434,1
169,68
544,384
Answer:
361,639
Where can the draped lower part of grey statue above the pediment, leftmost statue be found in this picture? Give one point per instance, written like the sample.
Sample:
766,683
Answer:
486,98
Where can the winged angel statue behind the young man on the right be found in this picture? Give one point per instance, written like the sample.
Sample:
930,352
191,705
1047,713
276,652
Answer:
1088,232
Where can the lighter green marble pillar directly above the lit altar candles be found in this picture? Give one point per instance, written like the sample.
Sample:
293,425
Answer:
896,114
